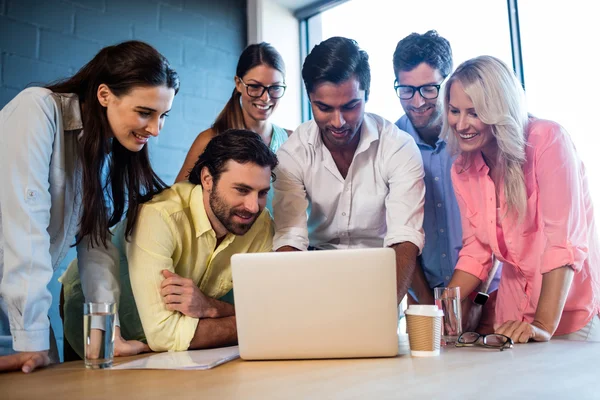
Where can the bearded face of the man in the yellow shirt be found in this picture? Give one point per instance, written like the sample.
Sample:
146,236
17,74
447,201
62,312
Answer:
237,198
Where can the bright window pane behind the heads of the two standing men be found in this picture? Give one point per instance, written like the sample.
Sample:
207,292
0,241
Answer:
471,28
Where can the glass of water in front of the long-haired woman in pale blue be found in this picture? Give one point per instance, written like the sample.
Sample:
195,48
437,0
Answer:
99,334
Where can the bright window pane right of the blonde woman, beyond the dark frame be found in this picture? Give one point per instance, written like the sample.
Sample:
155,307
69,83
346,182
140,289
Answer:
560,77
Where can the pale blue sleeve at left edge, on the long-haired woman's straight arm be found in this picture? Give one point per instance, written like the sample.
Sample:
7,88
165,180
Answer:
28,128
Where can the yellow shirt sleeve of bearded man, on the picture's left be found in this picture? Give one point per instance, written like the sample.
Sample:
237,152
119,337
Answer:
150,251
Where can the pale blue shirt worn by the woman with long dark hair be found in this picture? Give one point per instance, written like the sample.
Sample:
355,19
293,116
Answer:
40,207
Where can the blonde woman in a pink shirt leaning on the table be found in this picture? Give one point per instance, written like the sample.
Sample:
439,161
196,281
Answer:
523,196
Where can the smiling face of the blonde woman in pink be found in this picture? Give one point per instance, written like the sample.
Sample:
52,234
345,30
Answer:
471,133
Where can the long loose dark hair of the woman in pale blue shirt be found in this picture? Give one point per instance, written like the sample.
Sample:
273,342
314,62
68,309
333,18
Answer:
130,179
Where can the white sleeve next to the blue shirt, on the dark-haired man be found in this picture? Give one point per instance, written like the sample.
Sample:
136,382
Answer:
406,199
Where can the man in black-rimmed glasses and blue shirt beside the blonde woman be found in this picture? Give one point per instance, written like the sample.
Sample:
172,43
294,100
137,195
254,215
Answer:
421,64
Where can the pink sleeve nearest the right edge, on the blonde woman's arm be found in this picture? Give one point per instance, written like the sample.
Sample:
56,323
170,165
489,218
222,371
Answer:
560,177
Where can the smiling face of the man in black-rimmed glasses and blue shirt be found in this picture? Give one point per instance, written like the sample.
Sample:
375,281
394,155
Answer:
422,113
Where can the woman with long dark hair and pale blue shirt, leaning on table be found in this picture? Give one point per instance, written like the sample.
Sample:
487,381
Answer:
74,162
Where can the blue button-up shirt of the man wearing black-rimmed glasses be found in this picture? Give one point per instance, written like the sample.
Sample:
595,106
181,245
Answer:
441,223
